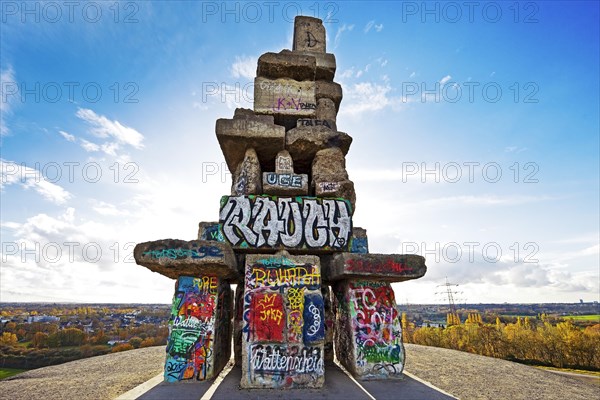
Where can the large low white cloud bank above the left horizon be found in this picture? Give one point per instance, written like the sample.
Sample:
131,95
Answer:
61,258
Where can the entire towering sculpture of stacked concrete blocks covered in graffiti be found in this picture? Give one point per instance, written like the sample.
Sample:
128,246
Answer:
306,282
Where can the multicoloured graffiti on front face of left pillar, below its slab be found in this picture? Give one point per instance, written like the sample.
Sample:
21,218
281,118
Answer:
192,329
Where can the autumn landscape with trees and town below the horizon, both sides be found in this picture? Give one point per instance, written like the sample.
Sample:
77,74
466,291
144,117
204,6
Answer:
34,335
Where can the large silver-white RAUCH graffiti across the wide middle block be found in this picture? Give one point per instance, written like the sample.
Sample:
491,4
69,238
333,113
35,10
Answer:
270,221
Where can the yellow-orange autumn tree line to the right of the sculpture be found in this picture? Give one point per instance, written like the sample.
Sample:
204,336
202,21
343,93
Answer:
534,341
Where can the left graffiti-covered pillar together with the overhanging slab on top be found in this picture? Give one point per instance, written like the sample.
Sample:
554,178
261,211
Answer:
199,343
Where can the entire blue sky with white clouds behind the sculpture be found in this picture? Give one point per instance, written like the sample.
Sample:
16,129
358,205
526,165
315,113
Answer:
476,138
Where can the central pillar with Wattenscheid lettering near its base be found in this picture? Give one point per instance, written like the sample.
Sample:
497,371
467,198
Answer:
283,315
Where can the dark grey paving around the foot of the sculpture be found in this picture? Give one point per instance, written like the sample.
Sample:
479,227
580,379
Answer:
337,386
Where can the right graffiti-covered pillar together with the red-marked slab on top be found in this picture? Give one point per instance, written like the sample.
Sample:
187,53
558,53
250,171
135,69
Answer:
368,334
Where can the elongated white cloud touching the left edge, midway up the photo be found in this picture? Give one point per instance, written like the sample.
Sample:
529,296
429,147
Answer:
30,178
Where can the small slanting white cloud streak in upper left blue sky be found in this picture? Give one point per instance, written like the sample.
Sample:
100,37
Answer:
104,128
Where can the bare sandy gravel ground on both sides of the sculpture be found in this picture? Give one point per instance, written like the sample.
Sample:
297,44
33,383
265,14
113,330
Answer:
464,375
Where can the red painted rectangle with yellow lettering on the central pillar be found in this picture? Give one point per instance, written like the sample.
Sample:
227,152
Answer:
267,316
